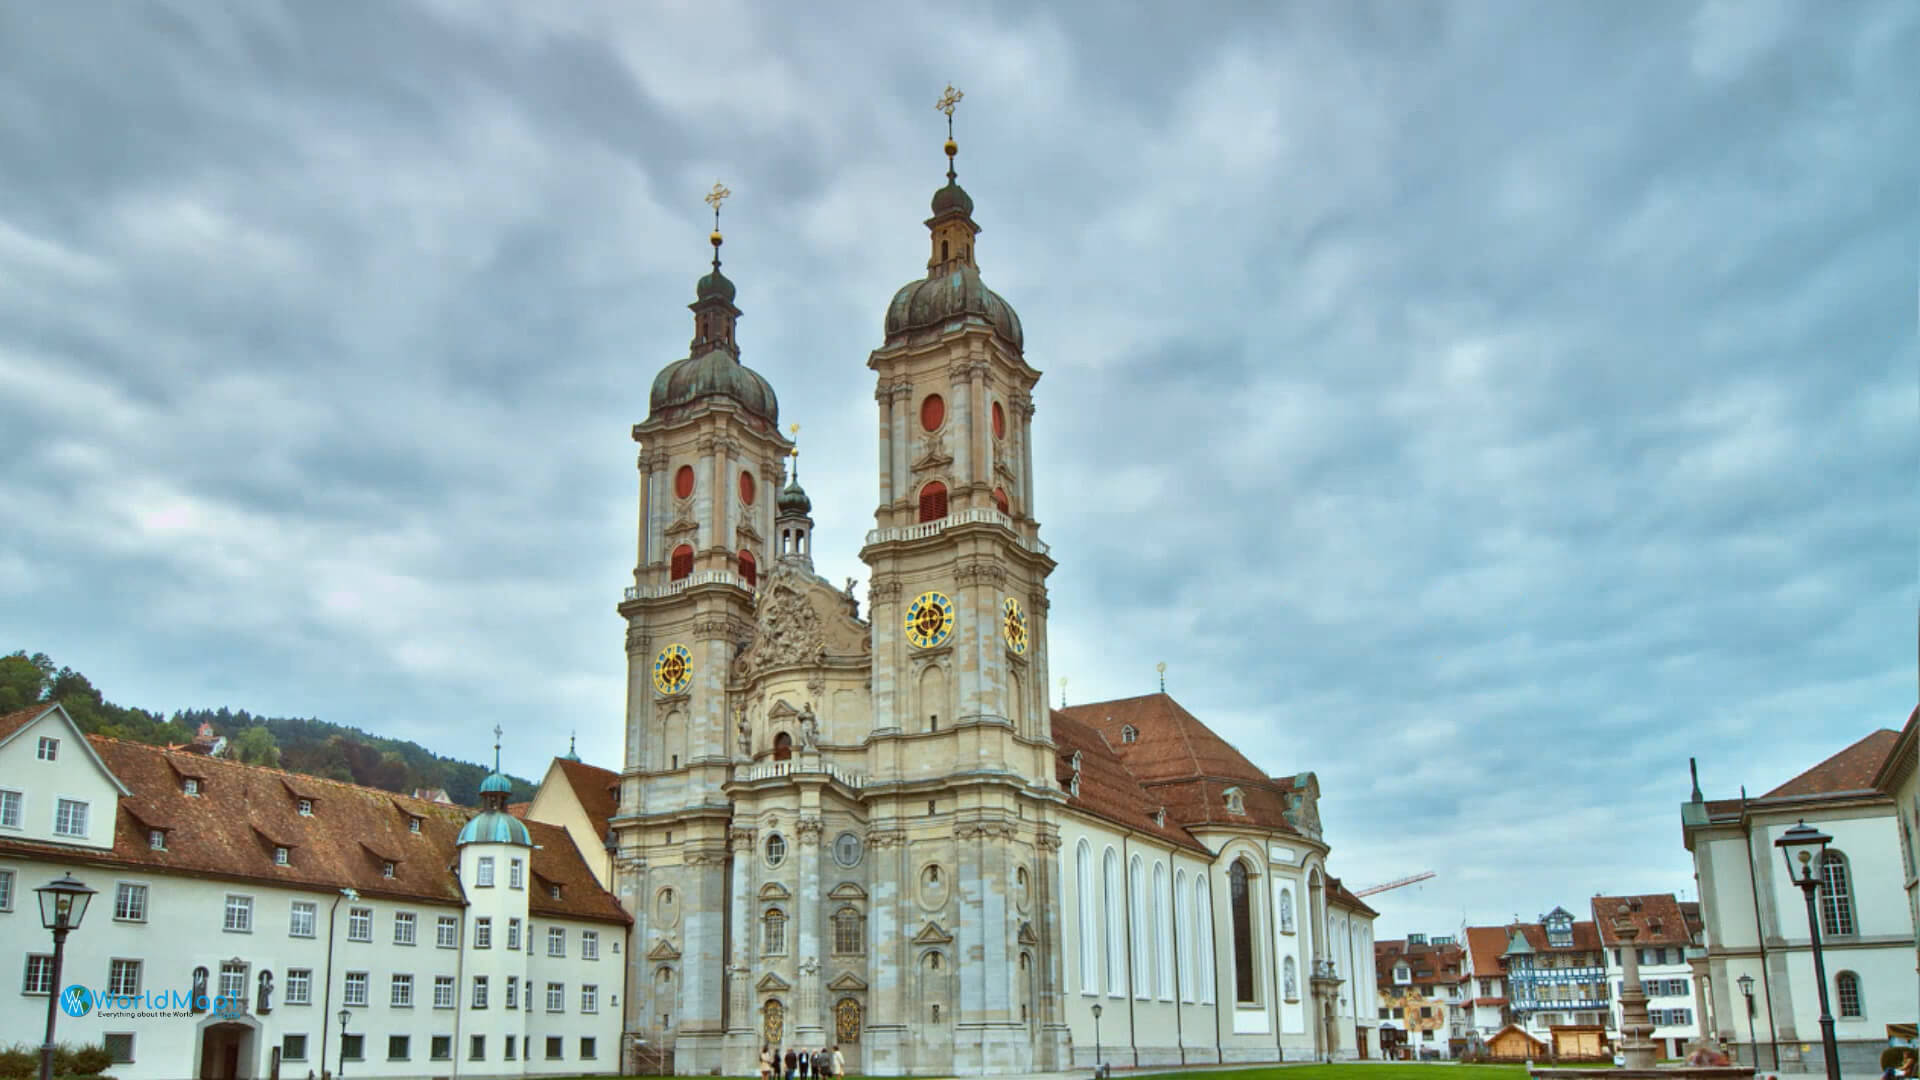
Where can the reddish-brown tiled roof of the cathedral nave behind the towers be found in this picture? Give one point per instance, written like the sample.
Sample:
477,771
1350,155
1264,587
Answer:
1182,764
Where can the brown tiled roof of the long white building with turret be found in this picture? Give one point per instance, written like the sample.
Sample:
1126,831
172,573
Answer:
229,833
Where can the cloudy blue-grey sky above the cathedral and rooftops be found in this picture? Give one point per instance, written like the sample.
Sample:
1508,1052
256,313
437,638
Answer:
1485,406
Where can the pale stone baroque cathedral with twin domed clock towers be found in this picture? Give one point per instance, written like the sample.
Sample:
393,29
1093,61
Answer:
871,829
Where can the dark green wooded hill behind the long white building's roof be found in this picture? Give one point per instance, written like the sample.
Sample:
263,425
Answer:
318,749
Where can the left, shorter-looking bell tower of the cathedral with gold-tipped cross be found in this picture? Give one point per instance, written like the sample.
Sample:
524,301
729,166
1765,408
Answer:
709,468
